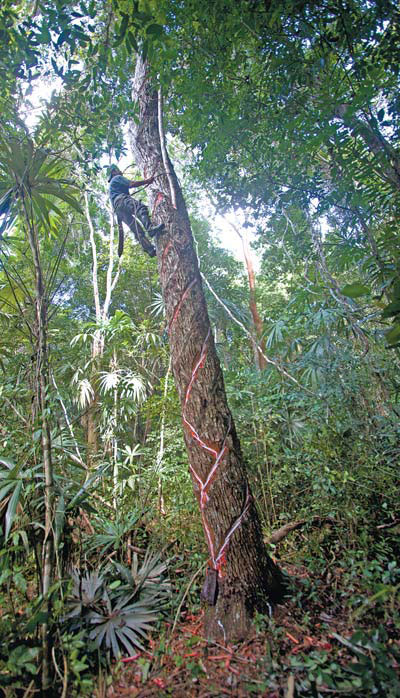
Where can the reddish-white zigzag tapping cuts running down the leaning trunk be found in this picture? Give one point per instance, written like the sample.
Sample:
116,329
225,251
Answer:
218,561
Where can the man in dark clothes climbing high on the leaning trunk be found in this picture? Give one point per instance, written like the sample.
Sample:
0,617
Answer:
131,211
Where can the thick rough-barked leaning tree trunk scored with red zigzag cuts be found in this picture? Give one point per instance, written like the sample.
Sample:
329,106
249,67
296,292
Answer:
247,578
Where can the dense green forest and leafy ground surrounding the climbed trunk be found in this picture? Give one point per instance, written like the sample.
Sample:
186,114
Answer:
282,119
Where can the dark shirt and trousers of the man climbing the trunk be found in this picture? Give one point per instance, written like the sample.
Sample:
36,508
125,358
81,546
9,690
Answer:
132,212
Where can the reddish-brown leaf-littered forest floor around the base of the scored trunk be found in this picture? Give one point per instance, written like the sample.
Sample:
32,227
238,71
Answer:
310,647
